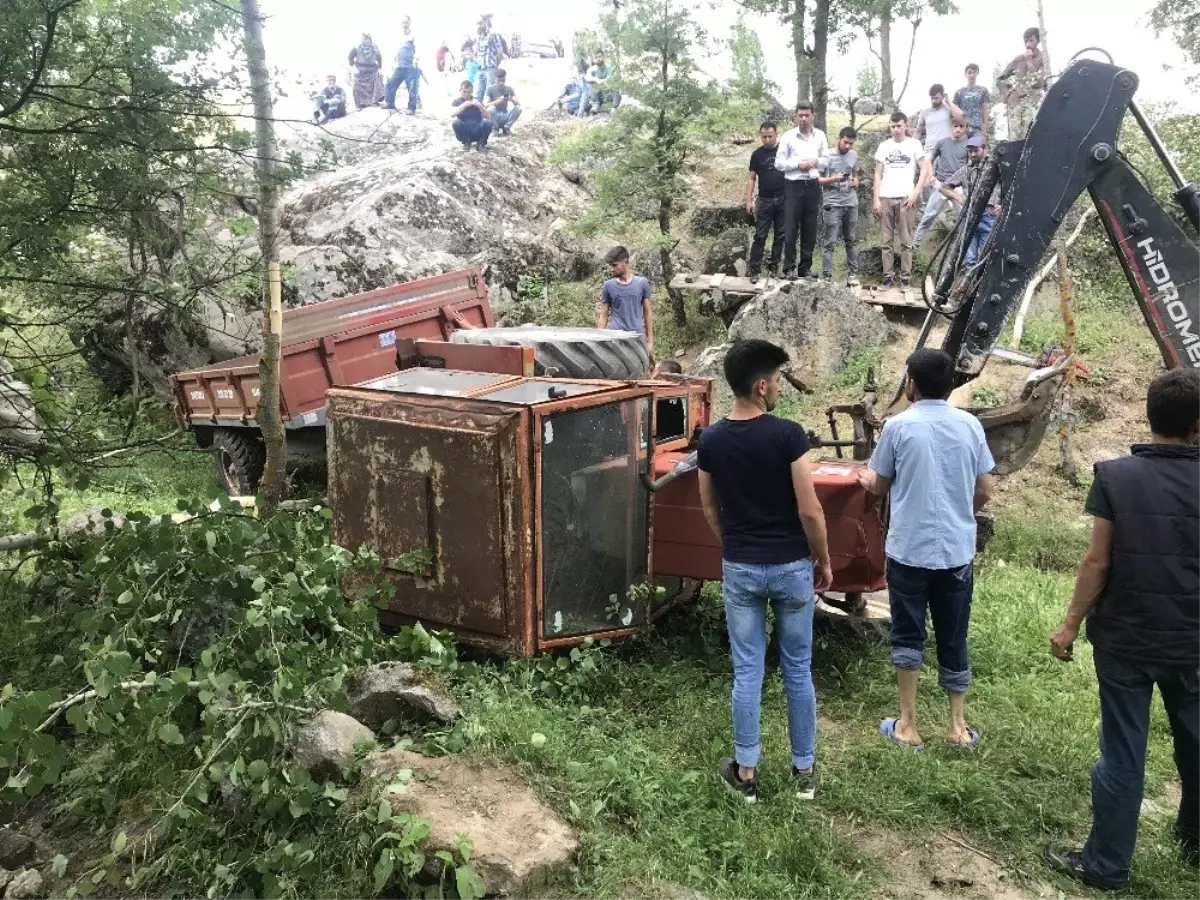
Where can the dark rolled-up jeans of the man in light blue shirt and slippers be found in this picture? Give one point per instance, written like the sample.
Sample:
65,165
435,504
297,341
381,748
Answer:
946,595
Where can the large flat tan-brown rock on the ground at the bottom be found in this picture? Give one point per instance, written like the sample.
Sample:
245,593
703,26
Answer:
520,844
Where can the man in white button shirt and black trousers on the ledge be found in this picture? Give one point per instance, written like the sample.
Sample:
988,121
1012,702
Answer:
799,158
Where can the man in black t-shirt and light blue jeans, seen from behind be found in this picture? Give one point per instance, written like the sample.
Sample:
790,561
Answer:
758,493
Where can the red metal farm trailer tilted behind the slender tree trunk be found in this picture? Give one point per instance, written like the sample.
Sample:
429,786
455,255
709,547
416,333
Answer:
333,344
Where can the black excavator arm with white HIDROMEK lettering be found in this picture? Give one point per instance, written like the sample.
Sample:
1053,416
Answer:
1072,148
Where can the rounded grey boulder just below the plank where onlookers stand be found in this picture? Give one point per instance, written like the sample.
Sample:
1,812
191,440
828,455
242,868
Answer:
821,326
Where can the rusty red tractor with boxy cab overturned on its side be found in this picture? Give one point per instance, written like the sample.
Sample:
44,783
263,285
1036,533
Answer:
550,511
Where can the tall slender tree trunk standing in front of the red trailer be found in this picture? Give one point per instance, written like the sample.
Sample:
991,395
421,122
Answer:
269,417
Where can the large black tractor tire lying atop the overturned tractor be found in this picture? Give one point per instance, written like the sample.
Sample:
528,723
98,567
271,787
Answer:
571,352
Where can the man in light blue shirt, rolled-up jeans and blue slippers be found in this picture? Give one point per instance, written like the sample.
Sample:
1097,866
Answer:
935,461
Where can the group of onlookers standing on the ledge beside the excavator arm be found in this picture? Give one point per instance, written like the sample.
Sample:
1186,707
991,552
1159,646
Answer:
800,187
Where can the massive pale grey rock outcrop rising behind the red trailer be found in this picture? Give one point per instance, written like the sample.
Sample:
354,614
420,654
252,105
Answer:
391,199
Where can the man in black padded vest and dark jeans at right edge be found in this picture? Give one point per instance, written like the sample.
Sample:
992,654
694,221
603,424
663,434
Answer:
1139,589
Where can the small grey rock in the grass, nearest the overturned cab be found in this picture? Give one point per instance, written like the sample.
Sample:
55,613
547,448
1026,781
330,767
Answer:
400,692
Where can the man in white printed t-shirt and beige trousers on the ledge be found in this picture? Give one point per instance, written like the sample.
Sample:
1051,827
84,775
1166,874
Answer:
902,170
